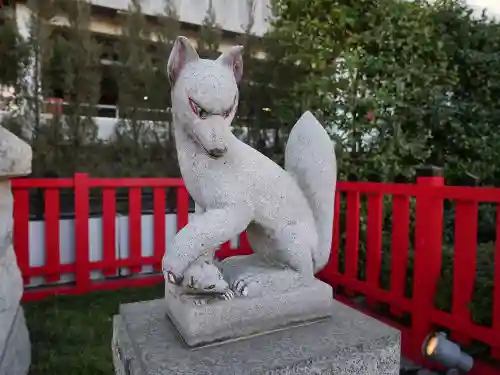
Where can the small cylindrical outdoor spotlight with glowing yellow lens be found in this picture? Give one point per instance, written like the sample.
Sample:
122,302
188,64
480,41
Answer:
441,350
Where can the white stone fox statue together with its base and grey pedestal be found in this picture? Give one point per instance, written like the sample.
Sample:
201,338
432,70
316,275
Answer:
263,313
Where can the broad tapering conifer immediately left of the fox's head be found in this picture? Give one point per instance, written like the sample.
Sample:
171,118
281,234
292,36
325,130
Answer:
142,145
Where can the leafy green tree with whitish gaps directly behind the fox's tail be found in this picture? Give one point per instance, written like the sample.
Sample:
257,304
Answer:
377,74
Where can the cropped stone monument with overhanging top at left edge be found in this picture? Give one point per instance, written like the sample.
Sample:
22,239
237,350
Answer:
15,348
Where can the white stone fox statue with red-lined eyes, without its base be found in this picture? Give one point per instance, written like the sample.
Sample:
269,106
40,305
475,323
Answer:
288,213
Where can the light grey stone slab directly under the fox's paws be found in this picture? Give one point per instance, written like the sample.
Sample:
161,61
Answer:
224,320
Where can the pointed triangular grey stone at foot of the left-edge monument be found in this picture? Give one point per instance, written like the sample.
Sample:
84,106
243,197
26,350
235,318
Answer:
15,358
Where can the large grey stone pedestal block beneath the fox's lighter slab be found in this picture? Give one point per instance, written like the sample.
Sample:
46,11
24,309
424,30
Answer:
348,342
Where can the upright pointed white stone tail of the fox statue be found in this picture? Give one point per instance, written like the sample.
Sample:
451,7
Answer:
310,159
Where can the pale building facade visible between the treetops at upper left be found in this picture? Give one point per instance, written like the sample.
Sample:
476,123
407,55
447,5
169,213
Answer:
232,17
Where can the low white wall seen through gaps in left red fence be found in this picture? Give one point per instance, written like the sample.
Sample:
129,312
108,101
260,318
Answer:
67,243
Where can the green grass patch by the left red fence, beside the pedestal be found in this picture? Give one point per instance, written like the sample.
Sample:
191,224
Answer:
71,335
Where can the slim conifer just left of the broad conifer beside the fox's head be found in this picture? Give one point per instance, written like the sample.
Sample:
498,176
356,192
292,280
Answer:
76,60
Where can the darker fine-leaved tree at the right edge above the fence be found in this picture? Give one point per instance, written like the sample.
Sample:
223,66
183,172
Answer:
468,142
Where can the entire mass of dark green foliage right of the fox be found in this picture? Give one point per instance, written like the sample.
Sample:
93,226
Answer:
419,77
